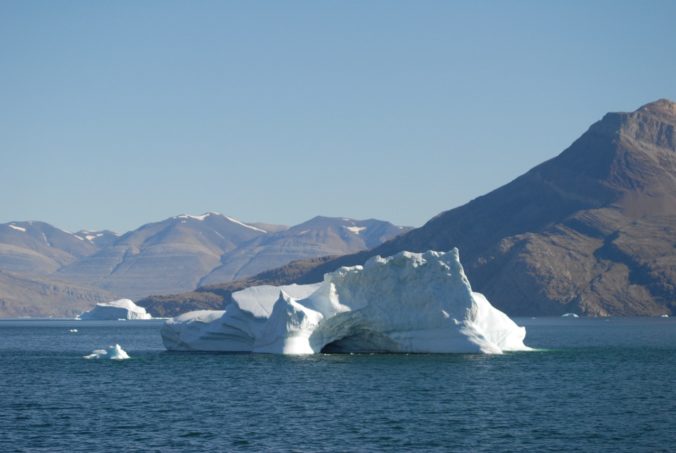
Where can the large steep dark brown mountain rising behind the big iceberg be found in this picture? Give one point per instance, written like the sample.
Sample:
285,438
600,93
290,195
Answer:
591,231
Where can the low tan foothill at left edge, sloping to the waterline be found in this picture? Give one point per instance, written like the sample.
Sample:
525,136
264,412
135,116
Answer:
25,296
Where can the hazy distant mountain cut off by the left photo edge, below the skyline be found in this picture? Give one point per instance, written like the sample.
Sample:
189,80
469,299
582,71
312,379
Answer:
39,248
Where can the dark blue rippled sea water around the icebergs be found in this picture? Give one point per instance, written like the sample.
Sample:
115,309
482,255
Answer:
597,385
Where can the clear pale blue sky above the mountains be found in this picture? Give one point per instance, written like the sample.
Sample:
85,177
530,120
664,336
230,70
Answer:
114,114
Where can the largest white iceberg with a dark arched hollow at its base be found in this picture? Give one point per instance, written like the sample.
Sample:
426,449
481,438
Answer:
406,303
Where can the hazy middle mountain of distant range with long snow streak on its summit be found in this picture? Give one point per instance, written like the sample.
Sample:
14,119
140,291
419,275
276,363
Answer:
160,257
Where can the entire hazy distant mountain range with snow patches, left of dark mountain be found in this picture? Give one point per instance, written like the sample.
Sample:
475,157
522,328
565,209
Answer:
45,271
